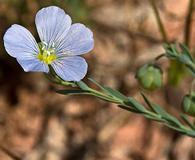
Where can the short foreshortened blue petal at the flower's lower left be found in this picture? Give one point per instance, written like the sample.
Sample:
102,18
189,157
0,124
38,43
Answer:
33,65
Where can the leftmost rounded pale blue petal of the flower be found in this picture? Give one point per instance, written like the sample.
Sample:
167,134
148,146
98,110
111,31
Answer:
20,43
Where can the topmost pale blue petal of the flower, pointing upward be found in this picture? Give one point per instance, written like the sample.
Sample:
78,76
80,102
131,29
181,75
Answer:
52,24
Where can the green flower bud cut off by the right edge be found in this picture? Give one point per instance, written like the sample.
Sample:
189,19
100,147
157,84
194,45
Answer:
188,104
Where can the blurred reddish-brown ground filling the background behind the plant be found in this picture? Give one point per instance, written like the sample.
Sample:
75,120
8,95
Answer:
38,124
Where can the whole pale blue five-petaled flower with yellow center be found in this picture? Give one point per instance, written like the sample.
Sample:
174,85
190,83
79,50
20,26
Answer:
60,46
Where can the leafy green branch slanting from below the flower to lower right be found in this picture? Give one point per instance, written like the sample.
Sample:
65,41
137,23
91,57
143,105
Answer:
152,112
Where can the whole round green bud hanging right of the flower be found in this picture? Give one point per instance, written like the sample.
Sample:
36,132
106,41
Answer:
149,77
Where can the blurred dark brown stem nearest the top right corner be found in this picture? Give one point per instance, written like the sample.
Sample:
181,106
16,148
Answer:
188,22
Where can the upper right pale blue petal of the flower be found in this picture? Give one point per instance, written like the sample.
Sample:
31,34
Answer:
79,40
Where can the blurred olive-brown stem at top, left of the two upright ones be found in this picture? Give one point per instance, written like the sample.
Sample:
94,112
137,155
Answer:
159,21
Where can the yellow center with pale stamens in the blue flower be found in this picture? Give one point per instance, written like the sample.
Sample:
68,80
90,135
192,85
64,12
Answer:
46,55
